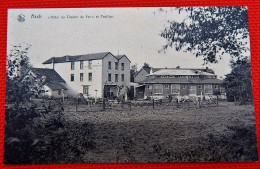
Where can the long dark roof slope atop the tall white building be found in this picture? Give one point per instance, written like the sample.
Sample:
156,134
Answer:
68,58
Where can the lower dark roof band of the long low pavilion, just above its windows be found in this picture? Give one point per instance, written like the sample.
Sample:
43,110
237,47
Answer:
156,80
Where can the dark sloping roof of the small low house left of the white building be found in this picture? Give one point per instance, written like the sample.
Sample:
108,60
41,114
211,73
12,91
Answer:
53,79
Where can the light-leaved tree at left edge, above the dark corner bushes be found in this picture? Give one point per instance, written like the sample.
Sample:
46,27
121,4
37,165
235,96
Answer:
20,84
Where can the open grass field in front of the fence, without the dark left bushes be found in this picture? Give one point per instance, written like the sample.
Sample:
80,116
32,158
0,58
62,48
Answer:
163,134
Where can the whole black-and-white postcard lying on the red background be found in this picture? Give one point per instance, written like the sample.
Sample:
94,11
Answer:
129,85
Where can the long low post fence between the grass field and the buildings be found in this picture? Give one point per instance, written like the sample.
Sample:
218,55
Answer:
74,105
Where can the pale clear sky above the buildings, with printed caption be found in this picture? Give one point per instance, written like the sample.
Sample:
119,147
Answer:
76,31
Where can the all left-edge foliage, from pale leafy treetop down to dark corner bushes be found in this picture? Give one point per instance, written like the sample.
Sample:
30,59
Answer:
35,132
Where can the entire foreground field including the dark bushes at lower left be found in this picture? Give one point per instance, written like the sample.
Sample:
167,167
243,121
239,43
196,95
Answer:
163,134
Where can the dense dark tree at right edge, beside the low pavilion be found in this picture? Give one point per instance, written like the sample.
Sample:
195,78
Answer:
238,83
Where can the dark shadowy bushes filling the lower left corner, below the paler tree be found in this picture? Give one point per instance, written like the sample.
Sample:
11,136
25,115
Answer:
33,138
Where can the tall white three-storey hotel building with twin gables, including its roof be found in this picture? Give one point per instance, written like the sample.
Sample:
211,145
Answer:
94,75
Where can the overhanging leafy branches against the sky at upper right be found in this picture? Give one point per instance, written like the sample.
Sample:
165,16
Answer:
209,32
